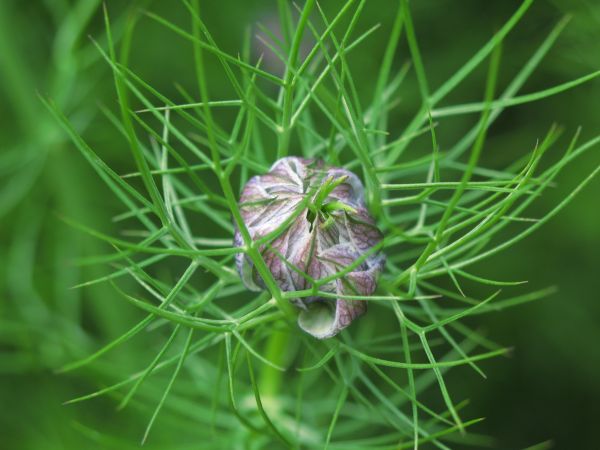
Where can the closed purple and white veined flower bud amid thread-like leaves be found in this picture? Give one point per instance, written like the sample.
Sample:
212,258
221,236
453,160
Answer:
312,223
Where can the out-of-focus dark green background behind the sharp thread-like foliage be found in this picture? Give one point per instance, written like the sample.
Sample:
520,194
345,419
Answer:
549,389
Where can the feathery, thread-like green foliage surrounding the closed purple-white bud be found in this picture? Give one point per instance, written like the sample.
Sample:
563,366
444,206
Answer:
353,391
